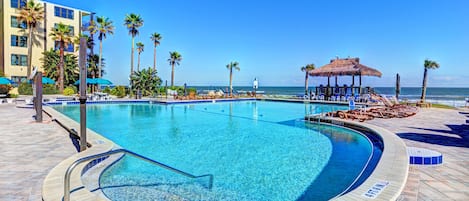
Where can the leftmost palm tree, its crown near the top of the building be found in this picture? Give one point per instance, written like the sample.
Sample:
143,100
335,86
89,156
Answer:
32,14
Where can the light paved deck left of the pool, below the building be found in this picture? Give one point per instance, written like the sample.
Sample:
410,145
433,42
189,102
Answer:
28,151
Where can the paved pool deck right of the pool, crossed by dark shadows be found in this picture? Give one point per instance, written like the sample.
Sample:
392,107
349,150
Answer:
442,130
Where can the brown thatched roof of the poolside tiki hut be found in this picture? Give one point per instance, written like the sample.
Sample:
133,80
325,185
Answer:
347,66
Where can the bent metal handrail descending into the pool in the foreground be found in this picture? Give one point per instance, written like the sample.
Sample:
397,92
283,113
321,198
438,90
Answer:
92,157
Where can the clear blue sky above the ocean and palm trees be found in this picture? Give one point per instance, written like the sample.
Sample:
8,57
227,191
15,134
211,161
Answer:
272,39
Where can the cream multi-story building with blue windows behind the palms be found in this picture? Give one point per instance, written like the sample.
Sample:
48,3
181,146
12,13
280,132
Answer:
14,35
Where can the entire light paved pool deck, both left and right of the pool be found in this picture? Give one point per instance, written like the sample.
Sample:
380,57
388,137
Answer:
22,142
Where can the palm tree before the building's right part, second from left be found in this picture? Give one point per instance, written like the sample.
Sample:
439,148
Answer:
61,34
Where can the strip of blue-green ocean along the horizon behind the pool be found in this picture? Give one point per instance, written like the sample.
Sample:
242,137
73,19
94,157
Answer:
448,96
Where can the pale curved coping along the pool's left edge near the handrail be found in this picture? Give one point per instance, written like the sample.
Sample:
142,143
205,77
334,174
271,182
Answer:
53,185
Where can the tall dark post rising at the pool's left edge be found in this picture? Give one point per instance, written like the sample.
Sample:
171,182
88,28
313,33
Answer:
82,98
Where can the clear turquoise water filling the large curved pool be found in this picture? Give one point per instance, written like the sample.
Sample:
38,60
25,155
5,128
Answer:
256,150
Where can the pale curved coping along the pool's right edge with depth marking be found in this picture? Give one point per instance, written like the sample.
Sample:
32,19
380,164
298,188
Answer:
393,166
